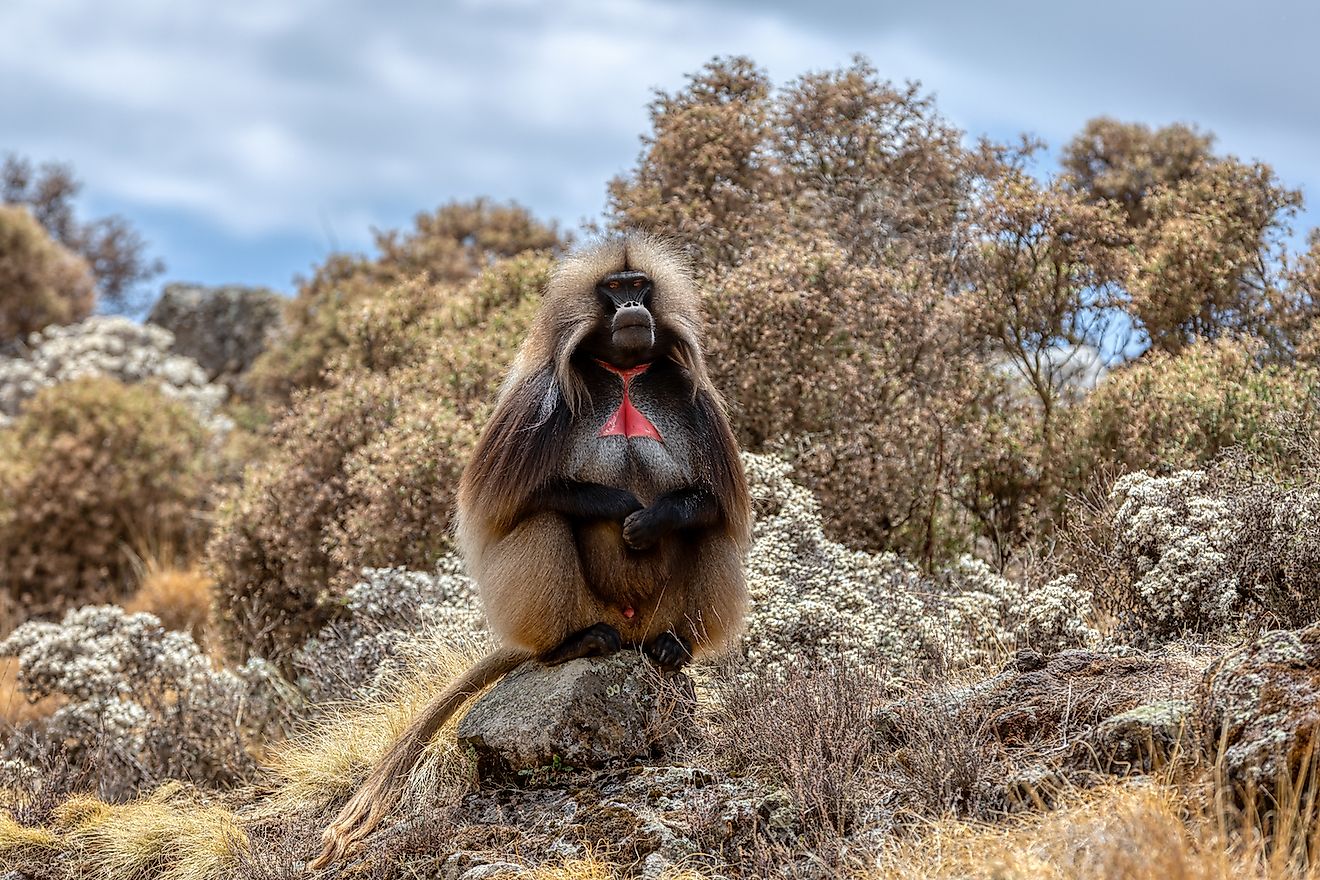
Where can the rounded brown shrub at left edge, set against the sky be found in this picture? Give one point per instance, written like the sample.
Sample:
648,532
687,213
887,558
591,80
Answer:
40,282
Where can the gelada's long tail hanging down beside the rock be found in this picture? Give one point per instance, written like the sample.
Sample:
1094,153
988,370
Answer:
383,788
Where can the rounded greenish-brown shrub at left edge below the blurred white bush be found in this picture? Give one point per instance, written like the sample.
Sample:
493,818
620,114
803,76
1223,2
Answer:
90,472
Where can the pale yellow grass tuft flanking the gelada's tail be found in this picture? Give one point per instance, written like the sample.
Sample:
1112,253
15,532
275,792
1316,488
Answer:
332,758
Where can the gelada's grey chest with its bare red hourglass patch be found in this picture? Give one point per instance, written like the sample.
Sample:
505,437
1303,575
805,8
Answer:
634,436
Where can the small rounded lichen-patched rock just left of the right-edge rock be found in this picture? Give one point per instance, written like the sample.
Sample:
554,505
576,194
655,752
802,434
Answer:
1138,741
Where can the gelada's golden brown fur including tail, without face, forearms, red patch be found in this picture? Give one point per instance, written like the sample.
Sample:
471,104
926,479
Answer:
544,579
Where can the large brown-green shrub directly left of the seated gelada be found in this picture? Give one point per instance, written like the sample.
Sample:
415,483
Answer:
365,472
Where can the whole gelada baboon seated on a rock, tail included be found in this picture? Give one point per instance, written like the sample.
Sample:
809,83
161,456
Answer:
605,505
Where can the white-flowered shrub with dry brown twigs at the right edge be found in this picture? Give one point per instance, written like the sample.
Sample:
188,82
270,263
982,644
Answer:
1212,552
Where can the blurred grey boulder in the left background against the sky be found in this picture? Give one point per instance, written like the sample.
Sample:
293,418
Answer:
222,329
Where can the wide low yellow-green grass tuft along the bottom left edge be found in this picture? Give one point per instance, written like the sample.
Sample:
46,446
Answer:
167,836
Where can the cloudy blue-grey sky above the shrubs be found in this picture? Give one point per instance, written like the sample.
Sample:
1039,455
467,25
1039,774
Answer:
249,139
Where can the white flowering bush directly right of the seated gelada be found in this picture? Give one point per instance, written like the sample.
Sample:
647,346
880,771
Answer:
816,601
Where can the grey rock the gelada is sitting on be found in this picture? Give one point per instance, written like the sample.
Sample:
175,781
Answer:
588,713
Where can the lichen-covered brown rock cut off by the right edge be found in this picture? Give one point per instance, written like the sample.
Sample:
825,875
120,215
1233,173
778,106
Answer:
1259,709
